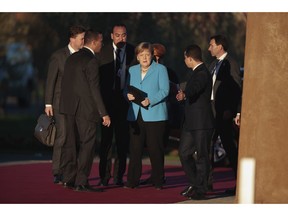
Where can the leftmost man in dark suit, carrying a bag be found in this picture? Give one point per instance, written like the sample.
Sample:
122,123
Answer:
53,91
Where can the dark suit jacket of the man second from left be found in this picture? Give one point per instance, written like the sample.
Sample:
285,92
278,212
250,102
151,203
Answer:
80,87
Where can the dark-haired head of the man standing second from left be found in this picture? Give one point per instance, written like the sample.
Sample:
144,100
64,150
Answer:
93,40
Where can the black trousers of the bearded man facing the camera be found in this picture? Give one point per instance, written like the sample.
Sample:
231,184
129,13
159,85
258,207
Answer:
119,130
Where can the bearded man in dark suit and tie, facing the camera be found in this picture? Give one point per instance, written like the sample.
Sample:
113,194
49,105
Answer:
113,70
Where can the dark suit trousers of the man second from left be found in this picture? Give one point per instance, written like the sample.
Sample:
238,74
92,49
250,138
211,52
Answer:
78,150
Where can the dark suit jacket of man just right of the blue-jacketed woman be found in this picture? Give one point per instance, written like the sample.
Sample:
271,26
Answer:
198,111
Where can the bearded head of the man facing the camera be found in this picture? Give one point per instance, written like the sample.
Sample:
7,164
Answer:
119,35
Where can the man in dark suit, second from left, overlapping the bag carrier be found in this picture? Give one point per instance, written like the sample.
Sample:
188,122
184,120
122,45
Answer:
82,104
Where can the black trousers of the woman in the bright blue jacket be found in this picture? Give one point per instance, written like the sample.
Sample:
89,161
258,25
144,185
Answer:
151,134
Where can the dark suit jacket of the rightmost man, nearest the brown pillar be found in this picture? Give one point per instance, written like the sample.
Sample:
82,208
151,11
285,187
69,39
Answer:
228,86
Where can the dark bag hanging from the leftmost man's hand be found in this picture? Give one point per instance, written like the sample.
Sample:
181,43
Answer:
45,130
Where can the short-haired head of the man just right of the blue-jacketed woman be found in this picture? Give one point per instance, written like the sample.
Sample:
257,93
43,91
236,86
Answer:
192,56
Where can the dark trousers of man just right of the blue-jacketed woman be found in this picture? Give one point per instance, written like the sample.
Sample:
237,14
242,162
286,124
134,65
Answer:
194,156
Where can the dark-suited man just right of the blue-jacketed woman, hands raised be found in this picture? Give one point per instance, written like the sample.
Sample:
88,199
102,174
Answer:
198,124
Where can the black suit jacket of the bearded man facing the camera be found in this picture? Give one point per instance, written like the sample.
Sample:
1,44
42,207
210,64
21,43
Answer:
107,70
